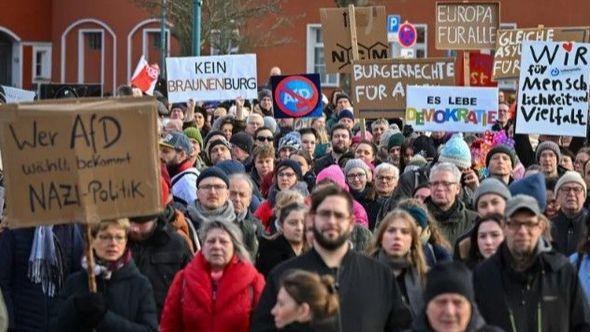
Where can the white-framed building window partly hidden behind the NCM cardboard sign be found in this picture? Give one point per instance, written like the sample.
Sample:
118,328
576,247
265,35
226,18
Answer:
315,56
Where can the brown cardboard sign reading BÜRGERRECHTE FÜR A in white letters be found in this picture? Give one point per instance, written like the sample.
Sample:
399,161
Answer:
379,86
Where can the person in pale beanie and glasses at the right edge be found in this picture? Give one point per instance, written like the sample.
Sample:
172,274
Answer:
569,225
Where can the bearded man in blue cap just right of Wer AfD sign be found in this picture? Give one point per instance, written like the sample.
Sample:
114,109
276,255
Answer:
175,152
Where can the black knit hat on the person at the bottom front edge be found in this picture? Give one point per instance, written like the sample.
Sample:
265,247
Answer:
448,277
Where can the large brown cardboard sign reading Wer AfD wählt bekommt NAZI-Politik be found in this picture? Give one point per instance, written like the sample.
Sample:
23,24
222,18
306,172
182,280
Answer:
80,160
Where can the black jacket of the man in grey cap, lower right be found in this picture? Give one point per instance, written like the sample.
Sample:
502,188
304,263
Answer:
550,282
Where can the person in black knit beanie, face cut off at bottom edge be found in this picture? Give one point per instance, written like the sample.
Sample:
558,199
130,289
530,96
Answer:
450,301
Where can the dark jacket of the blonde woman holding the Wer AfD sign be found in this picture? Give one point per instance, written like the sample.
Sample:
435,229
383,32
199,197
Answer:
129,298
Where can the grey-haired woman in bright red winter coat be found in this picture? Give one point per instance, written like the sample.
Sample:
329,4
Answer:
218,290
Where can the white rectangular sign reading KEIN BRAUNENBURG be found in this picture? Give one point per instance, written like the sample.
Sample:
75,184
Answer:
209,78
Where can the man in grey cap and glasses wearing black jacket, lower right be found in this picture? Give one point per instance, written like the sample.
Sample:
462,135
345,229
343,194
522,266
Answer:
526,285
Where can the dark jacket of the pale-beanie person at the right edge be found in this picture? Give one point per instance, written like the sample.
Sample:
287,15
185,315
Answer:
567,232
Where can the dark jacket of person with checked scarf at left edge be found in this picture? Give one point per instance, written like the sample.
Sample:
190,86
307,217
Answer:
28,308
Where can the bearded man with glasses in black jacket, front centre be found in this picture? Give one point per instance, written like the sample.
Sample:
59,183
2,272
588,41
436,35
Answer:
369,297
